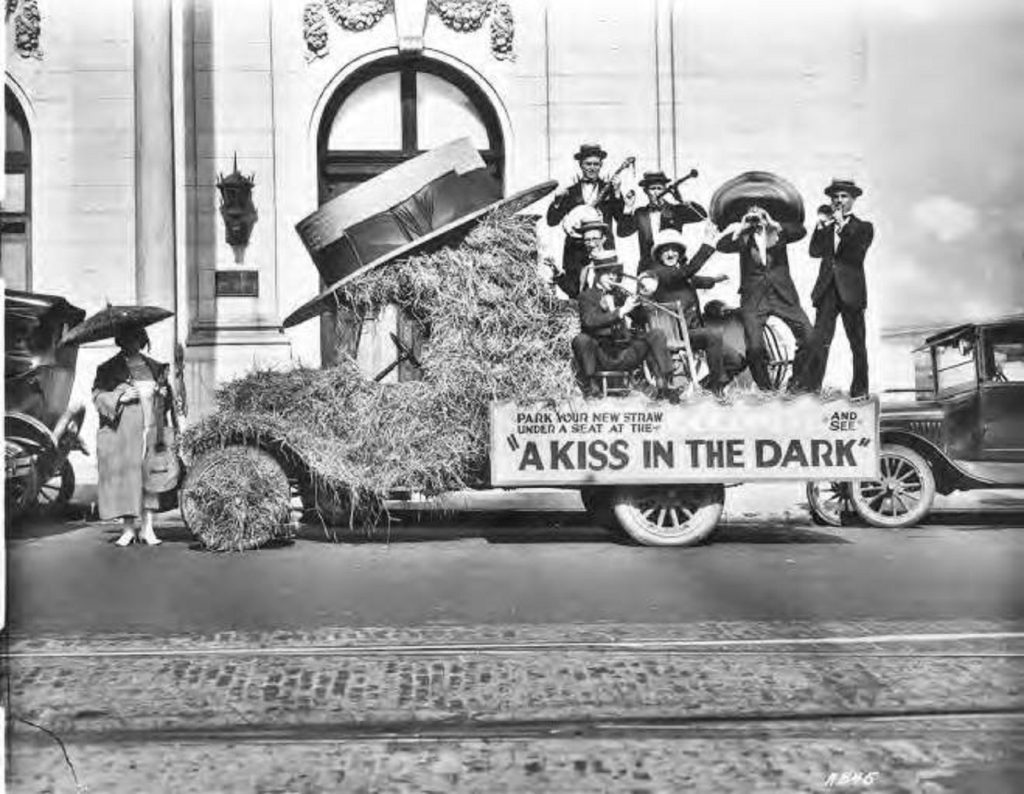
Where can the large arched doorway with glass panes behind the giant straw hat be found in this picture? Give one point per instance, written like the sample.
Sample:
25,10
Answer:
387,113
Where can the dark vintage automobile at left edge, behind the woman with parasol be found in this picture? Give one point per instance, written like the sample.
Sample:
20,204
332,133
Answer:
40,428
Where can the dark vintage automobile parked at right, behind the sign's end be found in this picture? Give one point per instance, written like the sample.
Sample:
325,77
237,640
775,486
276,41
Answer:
965,430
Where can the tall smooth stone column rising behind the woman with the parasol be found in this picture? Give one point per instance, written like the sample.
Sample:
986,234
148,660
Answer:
155,249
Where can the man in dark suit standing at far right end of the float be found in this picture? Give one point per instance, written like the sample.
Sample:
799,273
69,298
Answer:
841,240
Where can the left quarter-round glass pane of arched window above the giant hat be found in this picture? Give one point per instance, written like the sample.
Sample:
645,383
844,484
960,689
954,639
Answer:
370,117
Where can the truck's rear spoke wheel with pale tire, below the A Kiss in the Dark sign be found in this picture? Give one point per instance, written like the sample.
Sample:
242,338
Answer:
669,516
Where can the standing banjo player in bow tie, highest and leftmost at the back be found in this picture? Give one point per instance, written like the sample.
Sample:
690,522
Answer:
584,193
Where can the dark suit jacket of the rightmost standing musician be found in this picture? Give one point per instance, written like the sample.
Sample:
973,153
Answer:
844,268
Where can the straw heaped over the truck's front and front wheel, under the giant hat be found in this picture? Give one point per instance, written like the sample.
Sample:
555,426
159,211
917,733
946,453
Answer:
495,331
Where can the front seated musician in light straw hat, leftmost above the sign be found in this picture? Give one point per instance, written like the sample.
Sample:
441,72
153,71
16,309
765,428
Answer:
611,339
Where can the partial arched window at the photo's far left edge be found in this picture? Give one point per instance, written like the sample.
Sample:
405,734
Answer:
16,211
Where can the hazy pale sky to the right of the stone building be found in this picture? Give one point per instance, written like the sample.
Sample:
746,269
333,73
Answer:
946,154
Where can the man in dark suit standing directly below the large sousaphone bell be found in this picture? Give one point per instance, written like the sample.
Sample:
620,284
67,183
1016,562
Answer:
766,289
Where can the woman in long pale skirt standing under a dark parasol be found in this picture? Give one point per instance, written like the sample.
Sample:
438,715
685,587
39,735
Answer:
133,397
